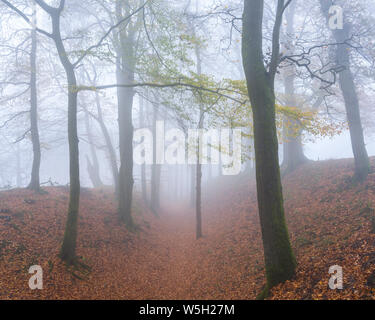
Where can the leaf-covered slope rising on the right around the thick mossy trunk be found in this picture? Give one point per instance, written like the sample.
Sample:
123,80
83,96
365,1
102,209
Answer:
330,223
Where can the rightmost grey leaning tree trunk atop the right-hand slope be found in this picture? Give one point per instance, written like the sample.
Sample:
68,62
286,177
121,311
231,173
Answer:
346,82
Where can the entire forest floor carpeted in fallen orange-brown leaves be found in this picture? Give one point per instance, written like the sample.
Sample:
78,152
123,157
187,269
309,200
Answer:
329,219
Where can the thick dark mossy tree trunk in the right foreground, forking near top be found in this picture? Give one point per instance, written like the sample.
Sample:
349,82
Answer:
280,262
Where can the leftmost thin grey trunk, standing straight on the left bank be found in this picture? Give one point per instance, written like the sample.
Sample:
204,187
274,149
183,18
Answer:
34,182
